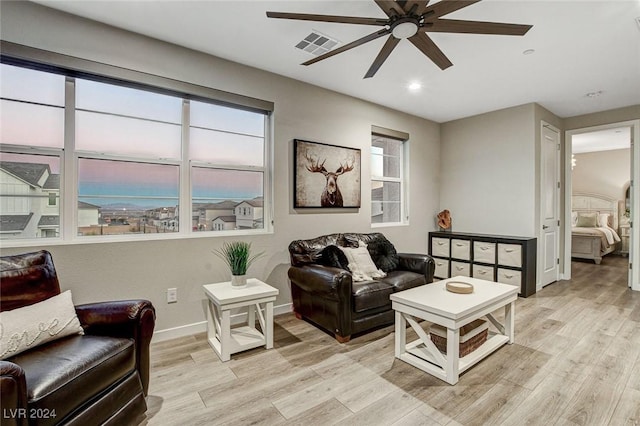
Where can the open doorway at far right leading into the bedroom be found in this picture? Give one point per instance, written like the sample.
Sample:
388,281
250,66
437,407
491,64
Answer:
598,173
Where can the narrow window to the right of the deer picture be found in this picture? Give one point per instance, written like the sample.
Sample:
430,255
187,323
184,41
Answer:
387,179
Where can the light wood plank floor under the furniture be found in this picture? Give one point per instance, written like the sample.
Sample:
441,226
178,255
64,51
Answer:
575,361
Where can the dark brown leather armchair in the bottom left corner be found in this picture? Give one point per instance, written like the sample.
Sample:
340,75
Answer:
101,377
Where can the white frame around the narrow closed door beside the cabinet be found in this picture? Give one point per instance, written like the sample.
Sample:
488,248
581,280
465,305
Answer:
558,212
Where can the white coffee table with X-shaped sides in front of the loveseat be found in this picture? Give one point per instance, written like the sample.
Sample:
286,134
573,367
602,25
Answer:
432,302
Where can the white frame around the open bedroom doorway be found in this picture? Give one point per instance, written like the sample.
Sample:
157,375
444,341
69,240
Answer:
634,244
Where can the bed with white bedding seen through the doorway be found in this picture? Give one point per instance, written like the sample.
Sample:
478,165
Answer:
594,220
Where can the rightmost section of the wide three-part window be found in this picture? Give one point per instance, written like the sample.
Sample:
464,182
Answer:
227,153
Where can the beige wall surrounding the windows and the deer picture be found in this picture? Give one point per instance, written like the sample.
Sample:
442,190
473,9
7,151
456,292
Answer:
146,269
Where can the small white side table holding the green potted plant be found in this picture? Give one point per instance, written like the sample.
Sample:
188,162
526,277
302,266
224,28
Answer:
222,299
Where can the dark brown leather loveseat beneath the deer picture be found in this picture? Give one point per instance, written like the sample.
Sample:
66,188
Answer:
324,293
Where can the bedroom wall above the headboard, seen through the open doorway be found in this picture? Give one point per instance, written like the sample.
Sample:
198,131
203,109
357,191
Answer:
603,172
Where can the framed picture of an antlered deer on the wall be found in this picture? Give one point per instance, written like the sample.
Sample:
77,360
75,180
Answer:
326,175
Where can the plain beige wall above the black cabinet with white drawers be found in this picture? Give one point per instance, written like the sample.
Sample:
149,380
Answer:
488,175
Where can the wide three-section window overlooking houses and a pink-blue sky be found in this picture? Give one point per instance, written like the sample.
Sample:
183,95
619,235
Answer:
142,160
